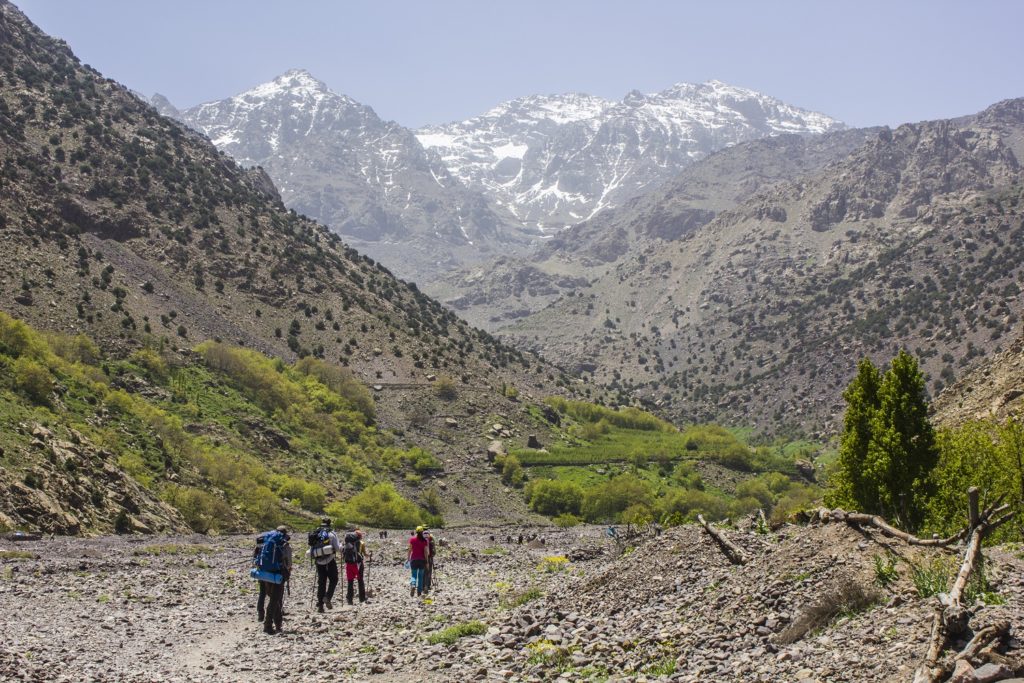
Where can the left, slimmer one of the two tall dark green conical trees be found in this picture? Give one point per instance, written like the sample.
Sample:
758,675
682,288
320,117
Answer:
849,487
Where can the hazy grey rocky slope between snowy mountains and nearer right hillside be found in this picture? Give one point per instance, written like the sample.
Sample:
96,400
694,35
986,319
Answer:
494,294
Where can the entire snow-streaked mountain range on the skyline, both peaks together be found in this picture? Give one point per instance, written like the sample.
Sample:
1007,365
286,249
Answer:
425,202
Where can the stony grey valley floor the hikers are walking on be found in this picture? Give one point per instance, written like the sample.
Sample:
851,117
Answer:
670,609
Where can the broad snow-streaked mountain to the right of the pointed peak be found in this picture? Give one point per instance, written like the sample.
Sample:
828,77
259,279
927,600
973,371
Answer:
558,160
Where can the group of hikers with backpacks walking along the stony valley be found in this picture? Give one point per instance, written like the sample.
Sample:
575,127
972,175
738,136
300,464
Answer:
273,565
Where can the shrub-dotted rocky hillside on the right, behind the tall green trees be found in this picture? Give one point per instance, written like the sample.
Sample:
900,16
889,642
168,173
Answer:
913,240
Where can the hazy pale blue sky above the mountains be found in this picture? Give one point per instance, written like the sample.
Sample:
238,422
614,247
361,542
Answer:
424,62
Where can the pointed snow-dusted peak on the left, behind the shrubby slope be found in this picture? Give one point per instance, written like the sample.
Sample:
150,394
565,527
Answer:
371,181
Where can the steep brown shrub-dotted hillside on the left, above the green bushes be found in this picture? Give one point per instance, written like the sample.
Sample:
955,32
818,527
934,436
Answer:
132,230
